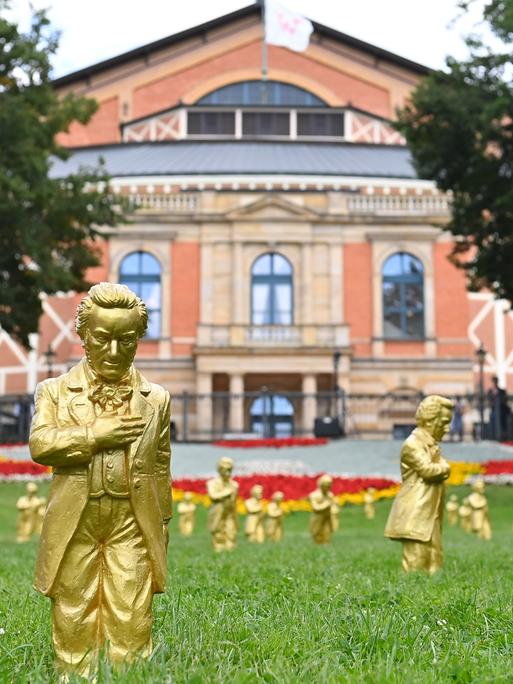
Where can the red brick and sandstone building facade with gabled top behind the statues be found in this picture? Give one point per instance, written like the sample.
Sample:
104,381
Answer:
275,225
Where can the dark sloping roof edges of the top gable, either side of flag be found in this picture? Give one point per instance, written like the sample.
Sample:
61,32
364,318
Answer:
202,30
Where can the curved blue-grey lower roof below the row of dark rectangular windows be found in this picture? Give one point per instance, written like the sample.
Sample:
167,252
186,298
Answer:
242,157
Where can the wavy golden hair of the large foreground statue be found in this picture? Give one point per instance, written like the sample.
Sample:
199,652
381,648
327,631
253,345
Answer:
110,296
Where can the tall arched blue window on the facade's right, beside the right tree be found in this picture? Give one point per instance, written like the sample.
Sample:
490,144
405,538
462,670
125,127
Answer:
403,297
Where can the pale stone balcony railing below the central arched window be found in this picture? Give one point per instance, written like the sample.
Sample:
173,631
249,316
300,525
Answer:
328,336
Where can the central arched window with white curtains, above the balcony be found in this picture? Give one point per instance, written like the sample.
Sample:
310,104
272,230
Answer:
271,290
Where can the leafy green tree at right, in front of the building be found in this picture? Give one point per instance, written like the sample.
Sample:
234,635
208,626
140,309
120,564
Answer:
459,127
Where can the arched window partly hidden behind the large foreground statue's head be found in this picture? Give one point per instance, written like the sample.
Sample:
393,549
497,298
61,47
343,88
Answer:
140,272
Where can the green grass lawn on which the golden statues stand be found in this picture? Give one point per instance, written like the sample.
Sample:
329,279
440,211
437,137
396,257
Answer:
295,612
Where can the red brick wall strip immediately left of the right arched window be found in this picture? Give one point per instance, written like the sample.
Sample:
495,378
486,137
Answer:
358,295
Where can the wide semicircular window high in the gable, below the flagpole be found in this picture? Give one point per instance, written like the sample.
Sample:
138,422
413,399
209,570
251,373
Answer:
273,93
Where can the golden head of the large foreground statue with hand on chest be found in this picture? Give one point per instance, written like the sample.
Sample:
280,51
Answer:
110,321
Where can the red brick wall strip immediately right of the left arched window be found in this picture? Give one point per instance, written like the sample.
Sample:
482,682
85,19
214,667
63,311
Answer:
185,293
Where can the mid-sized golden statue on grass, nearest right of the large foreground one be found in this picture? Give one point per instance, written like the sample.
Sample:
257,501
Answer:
222,516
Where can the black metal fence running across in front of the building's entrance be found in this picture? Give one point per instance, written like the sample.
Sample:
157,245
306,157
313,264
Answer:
204,417
